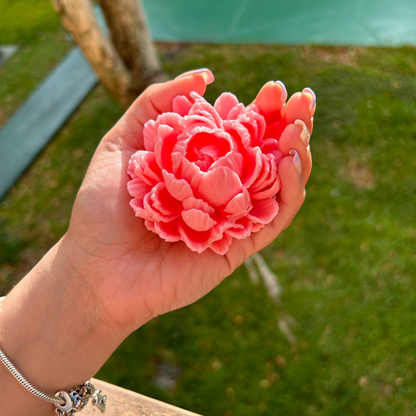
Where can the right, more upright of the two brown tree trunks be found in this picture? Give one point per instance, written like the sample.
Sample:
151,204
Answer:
126,20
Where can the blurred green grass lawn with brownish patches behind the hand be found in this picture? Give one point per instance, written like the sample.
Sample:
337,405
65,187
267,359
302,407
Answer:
347,263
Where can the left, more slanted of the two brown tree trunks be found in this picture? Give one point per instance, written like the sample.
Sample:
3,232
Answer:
78,18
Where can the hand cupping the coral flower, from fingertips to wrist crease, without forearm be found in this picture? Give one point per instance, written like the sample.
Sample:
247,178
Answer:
132,273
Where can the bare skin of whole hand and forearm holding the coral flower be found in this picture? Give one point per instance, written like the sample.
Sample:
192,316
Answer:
109,275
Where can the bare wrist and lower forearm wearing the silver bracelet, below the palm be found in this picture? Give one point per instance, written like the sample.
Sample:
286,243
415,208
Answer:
52,331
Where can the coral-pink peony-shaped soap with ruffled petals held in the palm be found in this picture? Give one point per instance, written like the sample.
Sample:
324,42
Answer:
208,174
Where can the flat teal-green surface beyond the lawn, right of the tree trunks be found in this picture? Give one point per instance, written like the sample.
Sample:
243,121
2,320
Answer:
331,22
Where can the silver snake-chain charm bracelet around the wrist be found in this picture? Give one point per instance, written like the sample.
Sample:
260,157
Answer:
66,402
